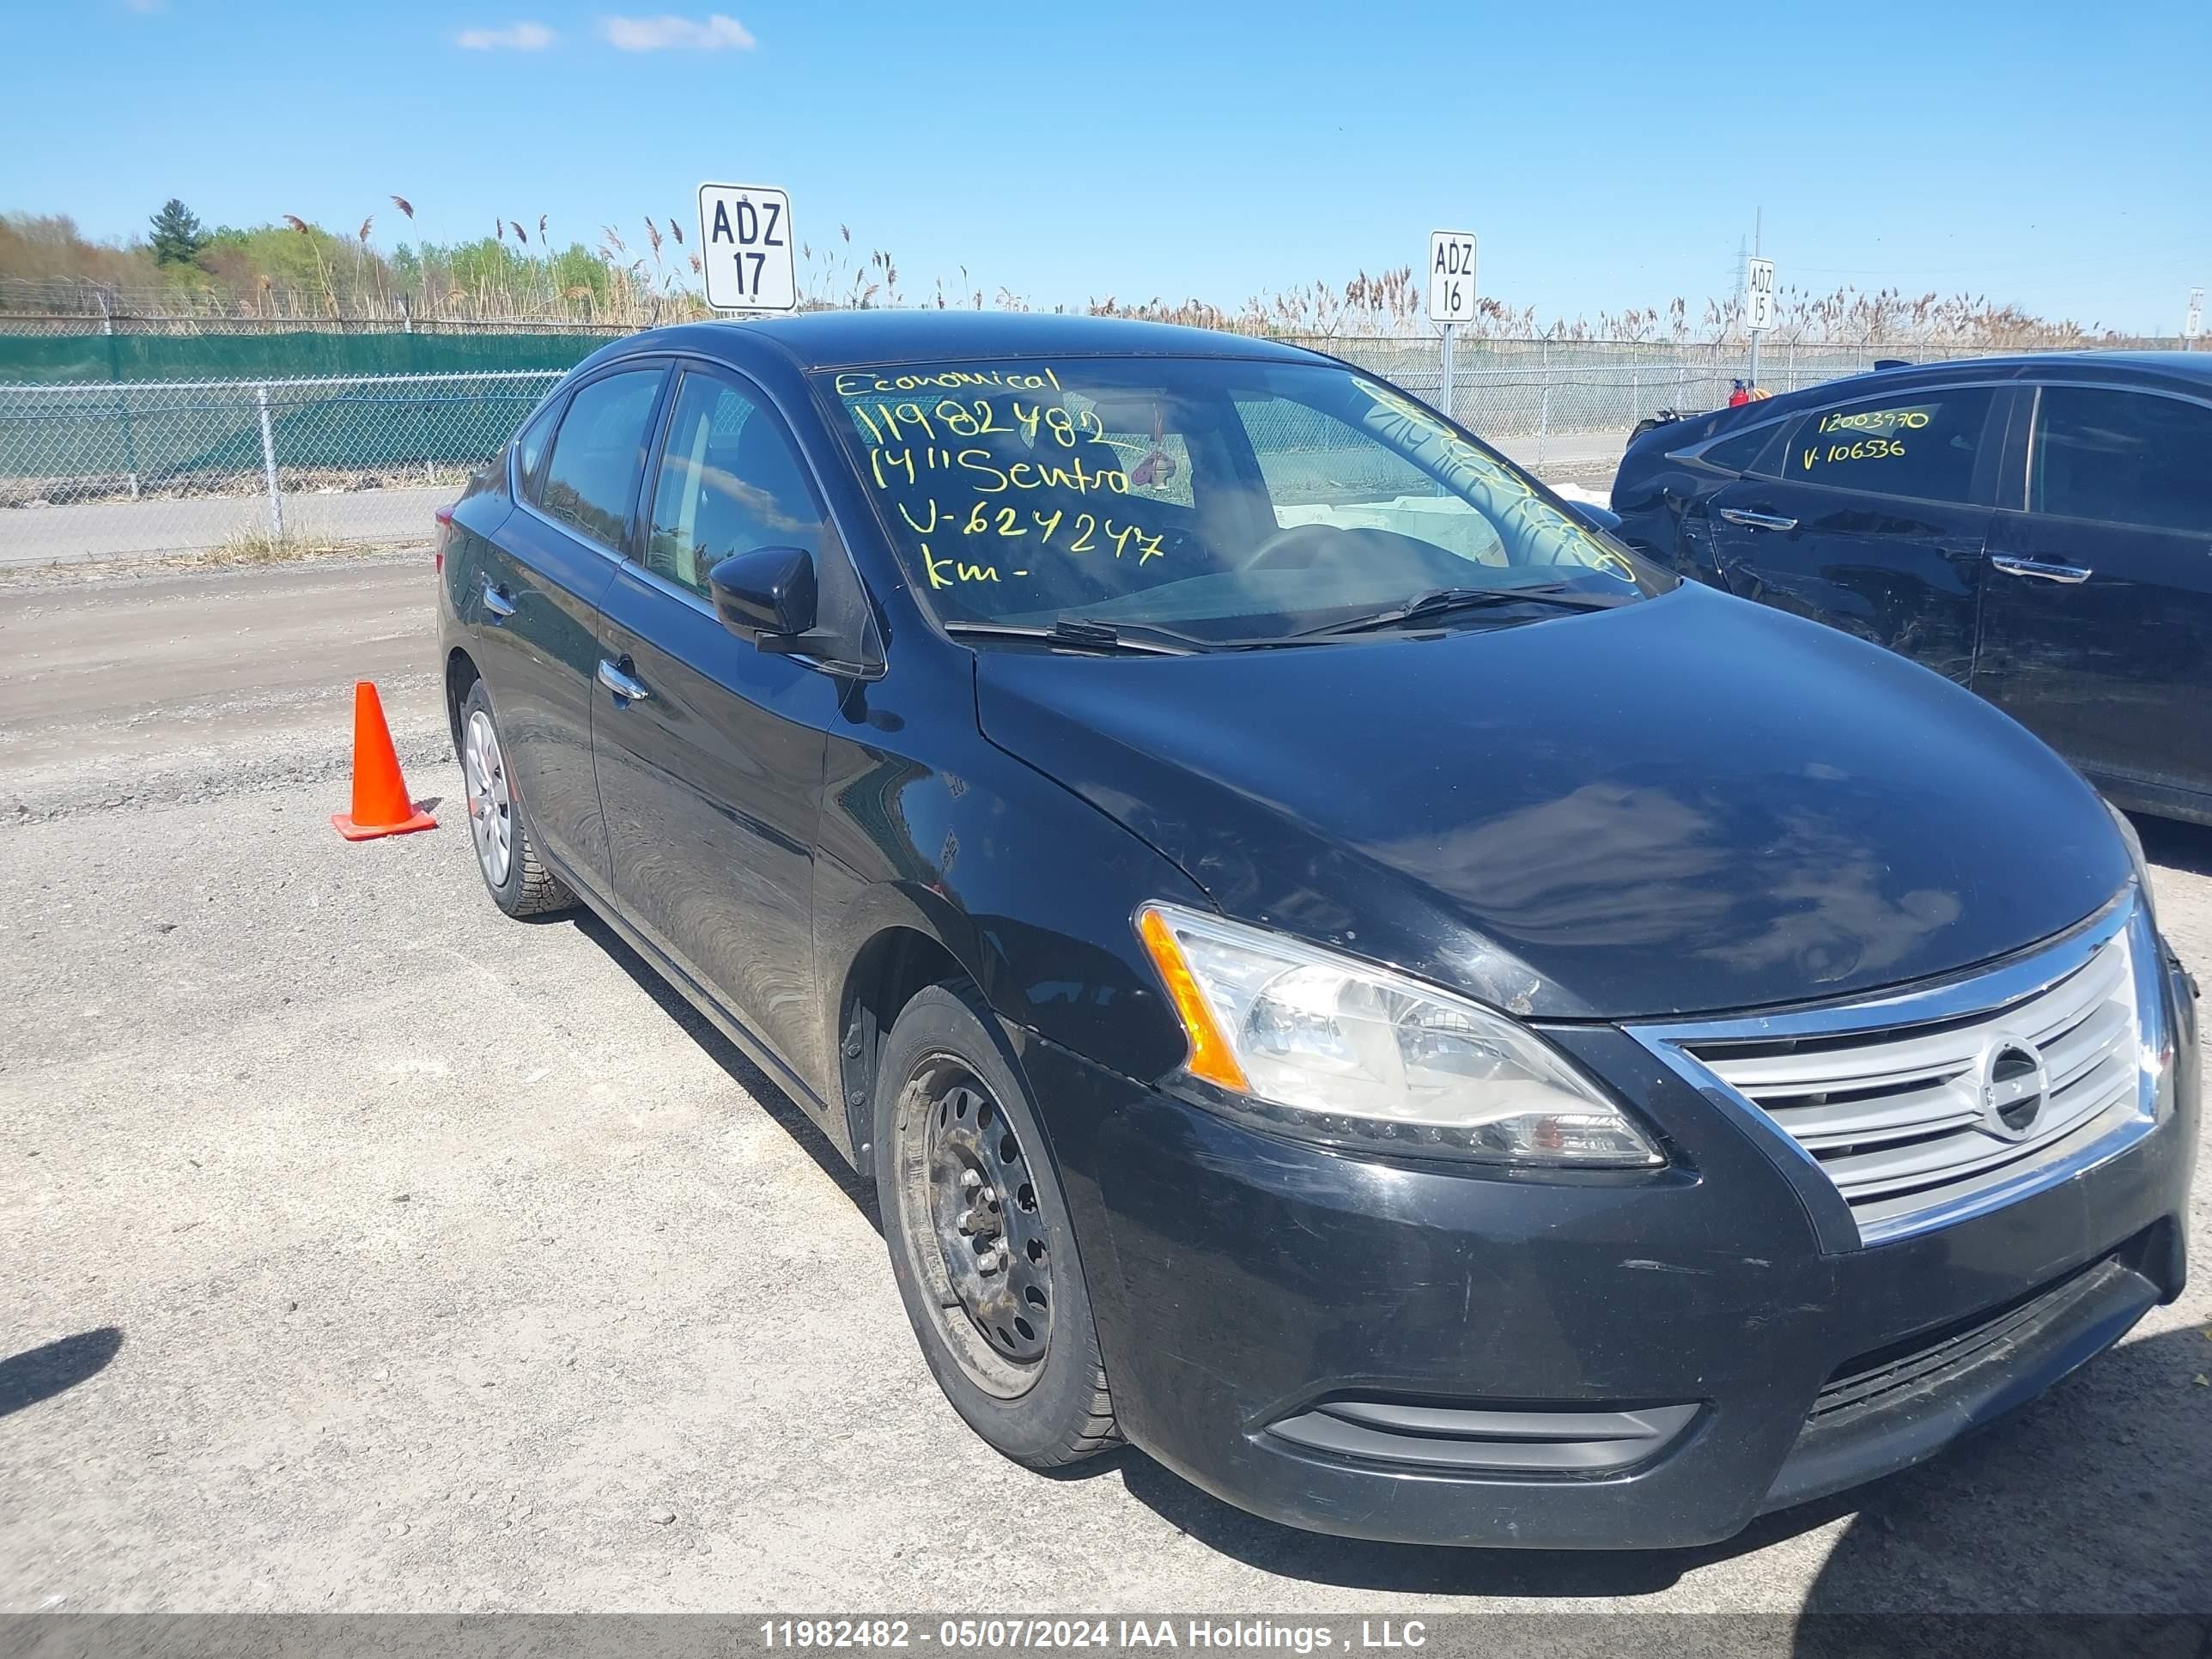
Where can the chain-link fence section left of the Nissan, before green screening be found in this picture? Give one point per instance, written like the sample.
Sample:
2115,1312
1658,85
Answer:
174,466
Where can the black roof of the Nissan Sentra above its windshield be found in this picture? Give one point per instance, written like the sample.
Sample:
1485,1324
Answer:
877,337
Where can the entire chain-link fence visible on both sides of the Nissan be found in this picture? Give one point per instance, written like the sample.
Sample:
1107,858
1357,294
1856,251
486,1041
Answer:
94,470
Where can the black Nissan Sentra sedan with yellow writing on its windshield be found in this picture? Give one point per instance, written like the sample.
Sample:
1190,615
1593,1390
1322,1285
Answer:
1342,974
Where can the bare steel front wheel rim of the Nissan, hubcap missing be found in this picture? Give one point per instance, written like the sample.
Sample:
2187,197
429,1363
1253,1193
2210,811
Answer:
974,1227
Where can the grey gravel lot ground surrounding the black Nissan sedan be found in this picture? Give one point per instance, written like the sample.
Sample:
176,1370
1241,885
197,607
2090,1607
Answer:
421,1260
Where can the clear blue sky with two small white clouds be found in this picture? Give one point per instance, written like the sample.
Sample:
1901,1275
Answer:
1605,154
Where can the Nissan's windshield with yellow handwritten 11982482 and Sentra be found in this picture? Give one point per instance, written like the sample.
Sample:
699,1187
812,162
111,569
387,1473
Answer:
1224,499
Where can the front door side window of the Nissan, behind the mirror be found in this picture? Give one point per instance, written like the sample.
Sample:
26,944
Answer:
729,483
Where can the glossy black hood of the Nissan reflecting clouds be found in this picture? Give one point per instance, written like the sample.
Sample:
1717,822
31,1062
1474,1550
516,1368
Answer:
1680,806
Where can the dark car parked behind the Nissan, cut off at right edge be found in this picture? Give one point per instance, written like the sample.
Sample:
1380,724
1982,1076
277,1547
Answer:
2038,530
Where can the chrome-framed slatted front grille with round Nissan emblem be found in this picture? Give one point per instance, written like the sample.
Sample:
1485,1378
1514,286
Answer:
1926,1107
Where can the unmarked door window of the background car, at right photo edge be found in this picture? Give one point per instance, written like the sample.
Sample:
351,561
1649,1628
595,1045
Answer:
2122,457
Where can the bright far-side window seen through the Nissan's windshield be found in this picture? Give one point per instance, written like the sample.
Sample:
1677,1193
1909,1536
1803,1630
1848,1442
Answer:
1322,470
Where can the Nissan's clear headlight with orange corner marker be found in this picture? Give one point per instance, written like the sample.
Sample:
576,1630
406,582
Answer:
1315,1045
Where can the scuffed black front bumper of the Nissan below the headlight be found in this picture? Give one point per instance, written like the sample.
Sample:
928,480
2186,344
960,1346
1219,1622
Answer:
1304,1333
